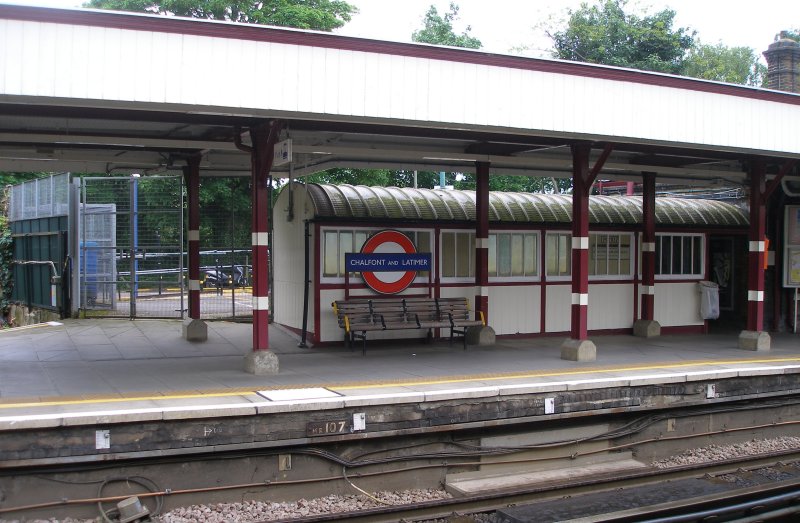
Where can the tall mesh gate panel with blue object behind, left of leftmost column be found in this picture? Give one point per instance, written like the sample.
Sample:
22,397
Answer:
131,243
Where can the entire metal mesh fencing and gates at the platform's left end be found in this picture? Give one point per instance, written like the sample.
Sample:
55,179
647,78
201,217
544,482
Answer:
129,253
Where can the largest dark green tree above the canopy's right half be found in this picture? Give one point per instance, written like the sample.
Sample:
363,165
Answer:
605,33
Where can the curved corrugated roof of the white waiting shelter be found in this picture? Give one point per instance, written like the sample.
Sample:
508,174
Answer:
392,203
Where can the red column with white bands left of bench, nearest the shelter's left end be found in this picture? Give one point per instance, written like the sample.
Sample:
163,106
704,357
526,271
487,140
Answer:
263,139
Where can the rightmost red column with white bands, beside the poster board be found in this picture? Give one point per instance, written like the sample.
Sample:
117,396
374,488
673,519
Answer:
754,338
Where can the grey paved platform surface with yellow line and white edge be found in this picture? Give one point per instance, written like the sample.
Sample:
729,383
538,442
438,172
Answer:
81,366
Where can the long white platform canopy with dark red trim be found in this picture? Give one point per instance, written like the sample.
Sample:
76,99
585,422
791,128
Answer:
105,92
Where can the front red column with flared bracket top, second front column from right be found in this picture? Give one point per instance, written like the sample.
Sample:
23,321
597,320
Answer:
578,347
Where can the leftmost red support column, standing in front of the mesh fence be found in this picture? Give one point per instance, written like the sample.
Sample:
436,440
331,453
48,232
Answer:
194,329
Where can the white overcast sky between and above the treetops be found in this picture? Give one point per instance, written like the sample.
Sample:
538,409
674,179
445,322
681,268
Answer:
504,24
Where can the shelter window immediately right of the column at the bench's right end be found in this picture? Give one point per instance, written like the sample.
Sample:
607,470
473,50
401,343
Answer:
513,255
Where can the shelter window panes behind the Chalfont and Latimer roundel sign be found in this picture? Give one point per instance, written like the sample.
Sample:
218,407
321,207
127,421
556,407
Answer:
338,242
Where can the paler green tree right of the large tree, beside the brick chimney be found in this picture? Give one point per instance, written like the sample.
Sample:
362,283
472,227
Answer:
735,65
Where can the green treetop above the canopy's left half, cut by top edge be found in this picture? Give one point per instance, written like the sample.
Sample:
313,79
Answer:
321,15
